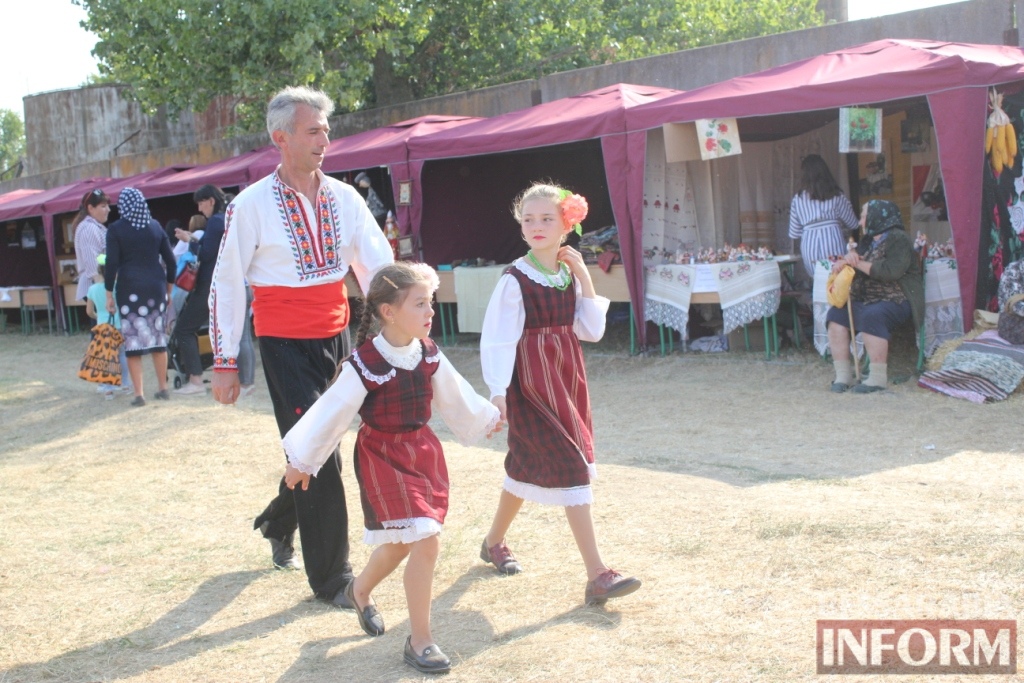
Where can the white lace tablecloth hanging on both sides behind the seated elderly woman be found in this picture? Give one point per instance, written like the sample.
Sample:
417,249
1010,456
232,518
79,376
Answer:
944,316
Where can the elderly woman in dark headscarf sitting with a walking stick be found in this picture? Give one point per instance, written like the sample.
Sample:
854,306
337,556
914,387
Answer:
887,290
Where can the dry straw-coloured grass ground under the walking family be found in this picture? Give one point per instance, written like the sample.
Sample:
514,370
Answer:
750,500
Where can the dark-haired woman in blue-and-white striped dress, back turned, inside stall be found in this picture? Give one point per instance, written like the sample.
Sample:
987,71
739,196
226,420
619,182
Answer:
821,216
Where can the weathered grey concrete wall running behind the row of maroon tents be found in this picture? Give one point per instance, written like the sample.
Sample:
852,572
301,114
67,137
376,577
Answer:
72,124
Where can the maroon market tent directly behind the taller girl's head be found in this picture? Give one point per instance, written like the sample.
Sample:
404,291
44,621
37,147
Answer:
598,117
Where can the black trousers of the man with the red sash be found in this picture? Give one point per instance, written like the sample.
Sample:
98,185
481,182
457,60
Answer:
298,371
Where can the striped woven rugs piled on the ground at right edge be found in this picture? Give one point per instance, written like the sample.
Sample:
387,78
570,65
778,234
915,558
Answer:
984,370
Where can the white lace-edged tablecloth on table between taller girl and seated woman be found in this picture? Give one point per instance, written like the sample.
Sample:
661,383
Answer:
748,291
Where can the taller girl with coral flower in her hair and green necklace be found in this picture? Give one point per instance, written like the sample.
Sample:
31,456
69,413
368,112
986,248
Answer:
533,363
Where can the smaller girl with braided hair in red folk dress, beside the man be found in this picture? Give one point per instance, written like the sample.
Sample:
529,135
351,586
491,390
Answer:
393,381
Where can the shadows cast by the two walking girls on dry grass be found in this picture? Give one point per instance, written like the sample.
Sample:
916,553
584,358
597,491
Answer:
382,658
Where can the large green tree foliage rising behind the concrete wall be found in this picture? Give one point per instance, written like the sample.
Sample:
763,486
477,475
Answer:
378,53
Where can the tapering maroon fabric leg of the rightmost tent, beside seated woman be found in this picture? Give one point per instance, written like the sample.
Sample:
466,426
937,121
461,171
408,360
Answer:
960,129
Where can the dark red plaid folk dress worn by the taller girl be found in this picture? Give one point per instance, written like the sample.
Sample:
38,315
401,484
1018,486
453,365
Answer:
551,437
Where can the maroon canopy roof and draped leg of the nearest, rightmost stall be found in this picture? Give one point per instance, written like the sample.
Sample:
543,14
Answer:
954,77
